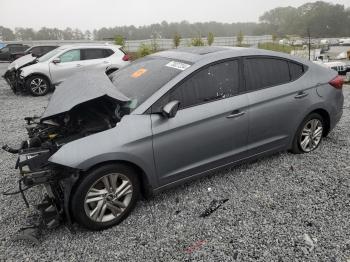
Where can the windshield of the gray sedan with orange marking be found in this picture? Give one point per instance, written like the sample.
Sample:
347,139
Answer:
144,77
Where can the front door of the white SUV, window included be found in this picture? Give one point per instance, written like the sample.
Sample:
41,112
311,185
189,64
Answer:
70,64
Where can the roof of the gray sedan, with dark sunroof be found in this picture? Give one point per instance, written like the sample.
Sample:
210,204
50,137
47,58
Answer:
196,54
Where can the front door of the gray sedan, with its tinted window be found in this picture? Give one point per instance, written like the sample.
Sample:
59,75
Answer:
209,130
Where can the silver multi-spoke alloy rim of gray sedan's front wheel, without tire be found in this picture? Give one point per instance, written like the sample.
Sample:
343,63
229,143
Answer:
108,197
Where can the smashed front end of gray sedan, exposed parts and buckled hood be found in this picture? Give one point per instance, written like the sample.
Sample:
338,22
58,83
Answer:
82,114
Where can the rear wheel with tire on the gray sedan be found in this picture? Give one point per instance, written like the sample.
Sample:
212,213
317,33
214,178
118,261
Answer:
309,134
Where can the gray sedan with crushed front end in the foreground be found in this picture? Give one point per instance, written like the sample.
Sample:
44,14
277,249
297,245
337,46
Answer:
167,118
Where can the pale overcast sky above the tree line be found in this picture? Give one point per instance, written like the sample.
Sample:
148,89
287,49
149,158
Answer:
91,14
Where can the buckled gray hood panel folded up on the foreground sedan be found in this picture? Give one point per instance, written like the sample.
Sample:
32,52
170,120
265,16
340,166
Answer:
80,88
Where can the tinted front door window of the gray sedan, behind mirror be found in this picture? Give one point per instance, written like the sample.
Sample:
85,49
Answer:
211,83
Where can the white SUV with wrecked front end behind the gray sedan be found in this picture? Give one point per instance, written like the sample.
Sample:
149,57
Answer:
39,75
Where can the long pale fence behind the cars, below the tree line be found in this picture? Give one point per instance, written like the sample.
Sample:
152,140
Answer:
133,45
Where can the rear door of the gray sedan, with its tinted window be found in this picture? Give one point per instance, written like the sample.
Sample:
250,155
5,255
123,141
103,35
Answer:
277,99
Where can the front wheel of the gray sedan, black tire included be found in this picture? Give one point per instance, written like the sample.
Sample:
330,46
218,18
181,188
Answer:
104,209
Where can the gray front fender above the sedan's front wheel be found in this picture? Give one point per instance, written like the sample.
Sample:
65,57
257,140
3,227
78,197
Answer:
130,140
